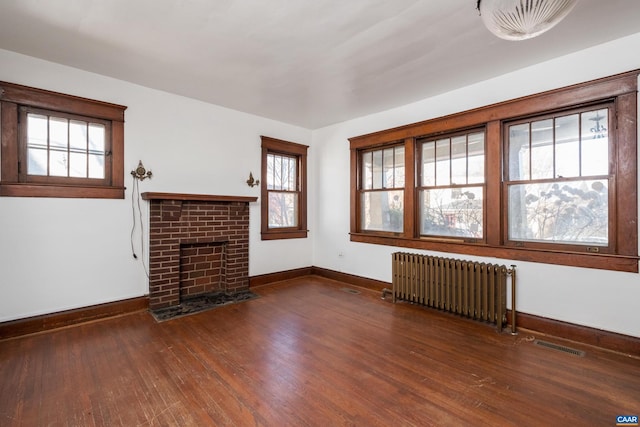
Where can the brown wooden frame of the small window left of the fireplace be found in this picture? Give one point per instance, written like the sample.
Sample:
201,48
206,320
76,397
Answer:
14,182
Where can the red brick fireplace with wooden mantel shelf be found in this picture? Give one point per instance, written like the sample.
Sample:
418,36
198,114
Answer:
198,244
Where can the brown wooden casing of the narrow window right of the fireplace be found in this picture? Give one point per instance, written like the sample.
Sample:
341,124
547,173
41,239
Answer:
297,153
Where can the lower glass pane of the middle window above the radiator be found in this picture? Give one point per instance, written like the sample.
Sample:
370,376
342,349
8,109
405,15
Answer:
452,212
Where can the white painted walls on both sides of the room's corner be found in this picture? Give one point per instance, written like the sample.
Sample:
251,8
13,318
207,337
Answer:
57,254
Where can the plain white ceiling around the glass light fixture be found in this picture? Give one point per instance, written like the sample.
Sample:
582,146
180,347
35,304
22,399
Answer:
308,63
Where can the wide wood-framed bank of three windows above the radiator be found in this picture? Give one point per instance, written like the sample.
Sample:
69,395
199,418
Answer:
549,178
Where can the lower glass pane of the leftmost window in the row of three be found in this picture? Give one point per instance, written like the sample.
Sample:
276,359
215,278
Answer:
383,210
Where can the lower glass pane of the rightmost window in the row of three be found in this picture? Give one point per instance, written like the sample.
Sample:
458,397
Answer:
570,212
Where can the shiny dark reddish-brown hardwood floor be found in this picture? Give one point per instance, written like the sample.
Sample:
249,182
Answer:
307,353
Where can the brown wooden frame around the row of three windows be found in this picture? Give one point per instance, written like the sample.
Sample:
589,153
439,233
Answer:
620,89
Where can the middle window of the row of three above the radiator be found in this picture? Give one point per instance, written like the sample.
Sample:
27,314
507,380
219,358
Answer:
451,191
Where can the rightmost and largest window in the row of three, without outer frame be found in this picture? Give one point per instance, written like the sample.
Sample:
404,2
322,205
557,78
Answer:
558,180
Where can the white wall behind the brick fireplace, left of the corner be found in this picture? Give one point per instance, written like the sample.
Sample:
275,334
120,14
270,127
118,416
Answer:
58,254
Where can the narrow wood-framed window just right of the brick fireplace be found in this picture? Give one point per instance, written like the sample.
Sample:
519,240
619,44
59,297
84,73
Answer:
284,198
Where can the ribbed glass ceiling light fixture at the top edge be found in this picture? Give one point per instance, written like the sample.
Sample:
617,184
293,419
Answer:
522,19
